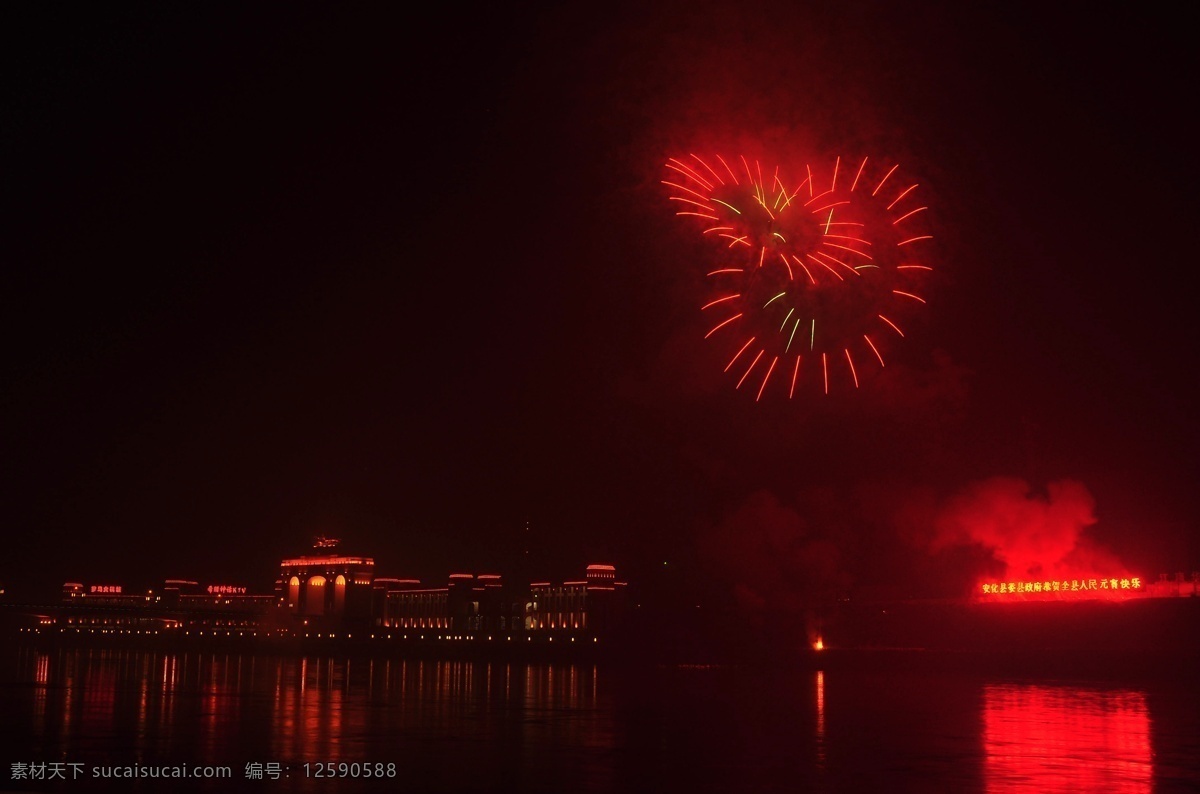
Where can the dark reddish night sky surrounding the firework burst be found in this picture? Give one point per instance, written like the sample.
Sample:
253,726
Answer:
412,280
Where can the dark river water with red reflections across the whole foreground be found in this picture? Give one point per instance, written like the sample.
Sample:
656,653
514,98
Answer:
323,724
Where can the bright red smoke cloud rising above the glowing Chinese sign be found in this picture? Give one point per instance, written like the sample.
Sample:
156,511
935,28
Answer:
1031,534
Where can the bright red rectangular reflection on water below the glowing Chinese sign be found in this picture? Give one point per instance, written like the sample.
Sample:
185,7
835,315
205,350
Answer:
1066,739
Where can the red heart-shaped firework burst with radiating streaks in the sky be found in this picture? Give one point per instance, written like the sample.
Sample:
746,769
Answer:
814,274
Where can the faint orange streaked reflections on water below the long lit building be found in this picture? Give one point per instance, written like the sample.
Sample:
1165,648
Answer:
430,718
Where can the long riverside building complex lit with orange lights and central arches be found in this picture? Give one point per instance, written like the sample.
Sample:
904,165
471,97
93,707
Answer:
321,594
